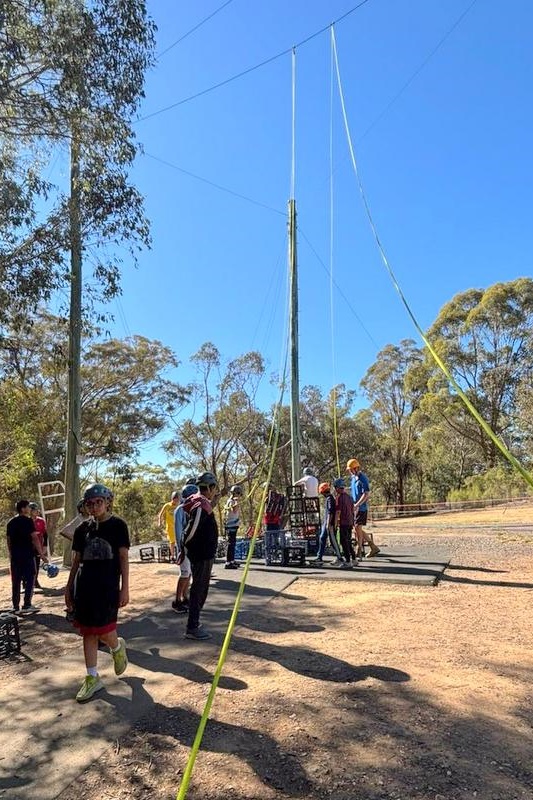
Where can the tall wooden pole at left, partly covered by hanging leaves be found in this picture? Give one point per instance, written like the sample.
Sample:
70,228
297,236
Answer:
72,467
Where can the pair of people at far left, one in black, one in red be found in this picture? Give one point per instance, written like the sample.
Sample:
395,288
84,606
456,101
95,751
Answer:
27,546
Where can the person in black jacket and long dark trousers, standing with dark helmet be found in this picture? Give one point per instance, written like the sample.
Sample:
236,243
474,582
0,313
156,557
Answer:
200,545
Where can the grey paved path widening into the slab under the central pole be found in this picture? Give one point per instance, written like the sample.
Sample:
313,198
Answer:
47,739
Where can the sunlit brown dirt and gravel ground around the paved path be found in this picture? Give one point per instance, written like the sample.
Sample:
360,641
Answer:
350,690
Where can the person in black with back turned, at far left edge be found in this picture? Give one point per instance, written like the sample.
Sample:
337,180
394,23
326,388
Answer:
22,544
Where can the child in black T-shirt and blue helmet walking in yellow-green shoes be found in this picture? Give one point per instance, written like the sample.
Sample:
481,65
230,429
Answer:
98,585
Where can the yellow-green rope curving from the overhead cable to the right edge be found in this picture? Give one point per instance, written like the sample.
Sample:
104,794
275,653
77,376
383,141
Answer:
472,409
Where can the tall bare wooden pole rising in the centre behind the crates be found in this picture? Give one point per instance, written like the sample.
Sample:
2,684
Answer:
295,373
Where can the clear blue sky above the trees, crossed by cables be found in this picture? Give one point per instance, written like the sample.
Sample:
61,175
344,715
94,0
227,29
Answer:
447,171
